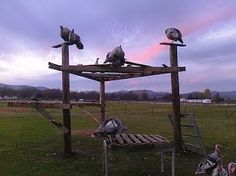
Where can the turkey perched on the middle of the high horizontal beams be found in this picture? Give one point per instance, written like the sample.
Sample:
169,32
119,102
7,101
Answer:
116,57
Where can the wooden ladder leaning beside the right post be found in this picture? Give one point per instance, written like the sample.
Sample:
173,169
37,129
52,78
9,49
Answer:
191,136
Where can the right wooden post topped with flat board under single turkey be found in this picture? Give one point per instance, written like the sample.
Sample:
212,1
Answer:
175,96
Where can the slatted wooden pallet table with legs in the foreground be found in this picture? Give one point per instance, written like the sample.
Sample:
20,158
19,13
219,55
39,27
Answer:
138,141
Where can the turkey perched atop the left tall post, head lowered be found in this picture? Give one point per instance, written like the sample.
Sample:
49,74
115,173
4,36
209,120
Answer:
71,37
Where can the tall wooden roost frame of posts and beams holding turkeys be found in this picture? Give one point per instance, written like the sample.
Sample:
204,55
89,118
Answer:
103,73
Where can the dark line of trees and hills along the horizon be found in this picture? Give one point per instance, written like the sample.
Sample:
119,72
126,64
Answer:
56,94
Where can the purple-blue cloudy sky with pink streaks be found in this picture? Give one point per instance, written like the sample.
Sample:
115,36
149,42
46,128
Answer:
28,29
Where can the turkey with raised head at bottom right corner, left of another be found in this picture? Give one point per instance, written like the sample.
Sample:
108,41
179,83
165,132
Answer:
210,161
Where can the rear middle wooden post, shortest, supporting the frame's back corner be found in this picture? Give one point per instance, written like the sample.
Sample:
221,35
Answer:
102,100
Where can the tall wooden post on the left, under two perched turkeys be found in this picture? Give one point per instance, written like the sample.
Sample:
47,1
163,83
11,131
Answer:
66,100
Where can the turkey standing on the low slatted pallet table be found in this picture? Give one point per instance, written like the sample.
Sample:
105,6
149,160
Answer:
110,127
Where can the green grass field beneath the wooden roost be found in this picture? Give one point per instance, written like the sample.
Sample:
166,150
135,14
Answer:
30,145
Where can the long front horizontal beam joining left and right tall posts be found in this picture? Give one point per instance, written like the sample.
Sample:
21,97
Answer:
111,69
